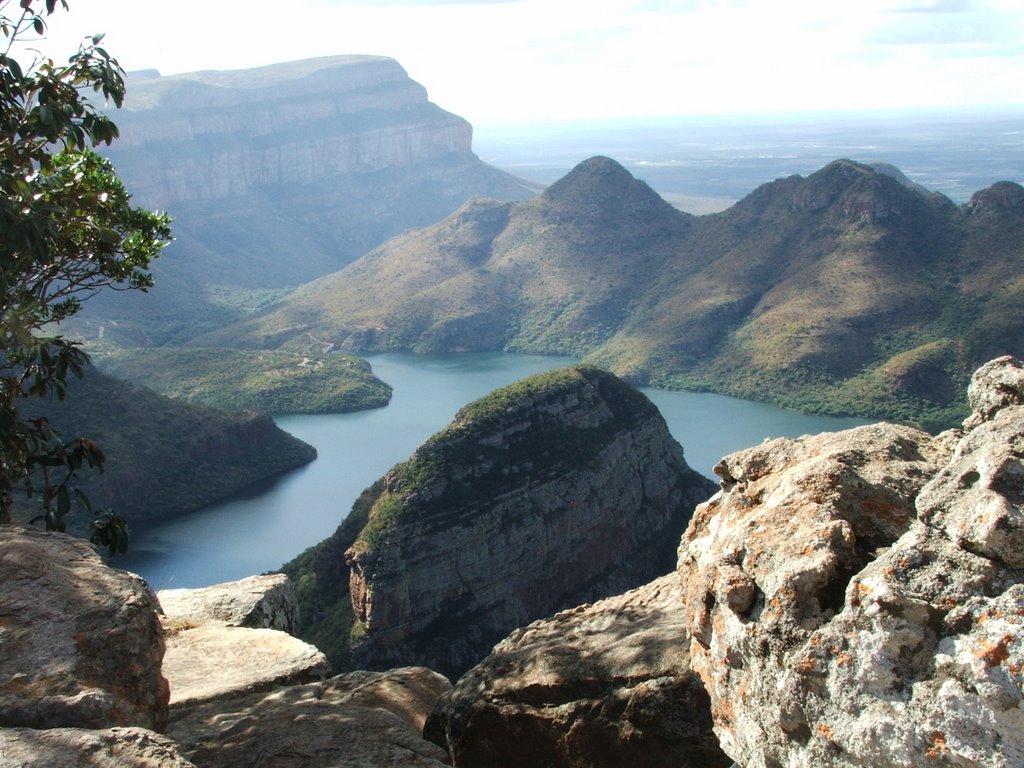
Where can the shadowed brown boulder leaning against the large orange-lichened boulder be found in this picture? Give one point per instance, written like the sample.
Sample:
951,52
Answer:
607,685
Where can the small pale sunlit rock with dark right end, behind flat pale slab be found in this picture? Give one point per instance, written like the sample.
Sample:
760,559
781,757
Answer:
258,603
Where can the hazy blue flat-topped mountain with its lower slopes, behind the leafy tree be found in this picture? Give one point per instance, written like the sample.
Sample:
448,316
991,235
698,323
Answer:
278,176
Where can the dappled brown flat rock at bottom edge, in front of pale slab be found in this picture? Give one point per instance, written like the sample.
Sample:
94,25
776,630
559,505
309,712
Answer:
360,719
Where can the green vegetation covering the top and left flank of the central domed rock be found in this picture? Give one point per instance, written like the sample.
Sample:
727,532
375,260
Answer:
507,440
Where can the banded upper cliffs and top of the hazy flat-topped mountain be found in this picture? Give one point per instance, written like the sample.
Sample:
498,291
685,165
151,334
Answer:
208,137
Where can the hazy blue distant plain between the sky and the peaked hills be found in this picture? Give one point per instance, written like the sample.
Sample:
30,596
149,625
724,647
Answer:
704,165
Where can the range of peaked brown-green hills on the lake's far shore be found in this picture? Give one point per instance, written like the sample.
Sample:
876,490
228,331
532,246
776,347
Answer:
849,291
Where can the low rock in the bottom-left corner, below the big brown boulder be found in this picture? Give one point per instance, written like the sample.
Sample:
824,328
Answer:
75,748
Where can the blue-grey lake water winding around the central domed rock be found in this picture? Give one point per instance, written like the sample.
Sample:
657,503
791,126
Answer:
274,524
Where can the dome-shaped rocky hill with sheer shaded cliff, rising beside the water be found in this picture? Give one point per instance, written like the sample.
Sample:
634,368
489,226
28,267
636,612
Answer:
562,489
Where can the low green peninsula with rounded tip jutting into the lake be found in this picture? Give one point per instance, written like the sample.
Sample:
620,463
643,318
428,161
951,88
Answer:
272,382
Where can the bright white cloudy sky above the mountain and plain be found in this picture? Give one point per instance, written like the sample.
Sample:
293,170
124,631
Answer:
500,63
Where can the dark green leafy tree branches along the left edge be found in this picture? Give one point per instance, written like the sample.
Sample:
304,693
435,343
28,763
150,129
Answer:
67,232
